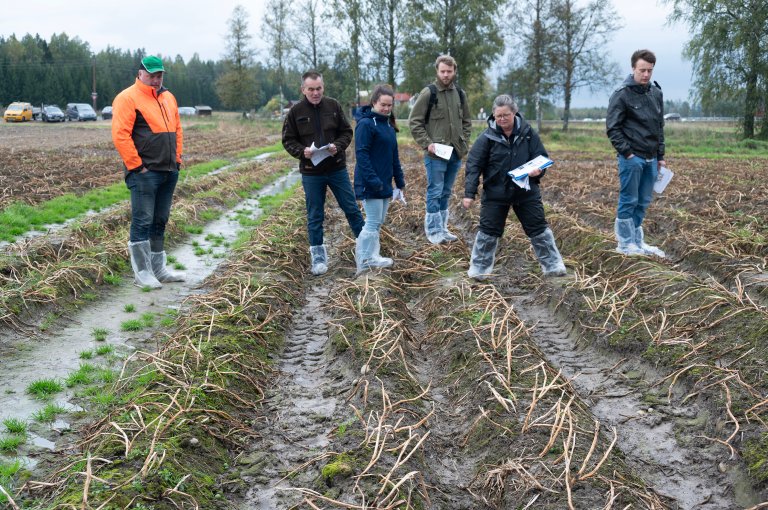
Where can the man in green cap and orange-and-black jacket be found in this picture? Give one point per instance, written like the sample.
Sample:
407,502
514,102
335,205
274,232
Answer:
146,131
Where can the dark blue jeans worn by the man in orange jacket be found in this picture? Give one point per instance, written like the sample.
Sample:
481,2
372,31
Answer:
151,197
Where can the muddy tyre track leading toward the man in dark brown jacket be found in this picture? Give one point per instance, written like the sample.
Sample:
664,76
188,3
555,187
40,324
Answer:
300,410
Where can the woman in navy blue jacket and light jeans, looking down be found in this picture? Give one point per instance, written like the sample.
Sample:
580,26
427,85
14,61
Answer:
377,165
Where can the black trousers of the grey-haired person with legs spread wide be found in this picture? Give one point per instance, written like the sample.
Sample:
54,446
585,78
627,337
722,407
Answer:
527,205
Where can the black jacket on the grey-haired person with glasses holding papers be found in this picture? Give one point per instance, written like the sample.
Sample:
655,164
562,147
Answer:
493,155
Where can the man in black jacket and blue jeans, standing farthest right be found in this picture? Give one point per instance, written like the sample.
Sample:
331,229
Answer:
635,126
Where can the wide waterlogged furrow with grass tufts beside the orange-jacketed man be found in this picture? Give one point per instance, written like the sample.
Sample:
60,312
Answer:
56,354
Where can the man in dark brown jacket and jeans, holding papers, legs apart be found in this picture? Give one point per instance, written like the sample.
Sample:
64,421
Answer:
313,123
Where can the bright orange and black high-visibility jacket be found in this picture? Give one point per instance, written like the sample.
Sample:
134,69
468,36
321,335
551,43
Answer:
146,128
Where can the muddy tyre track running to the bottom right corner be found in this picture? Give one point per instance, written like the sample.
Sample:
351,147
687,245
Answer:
653,436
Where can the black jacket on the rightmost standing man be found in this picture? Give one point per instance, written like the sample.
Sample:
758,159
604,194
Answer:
635,120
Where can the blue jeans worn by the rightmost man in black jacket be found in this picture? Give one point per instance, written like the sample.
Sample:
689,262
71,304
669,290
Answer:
636,178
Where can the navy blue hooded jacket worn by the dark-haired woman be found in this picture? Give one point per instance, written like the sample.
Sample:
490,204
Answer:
377,157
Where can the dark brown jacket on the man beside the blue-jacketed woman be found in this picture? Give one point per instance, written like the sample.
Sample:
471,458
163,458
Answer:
322,124
